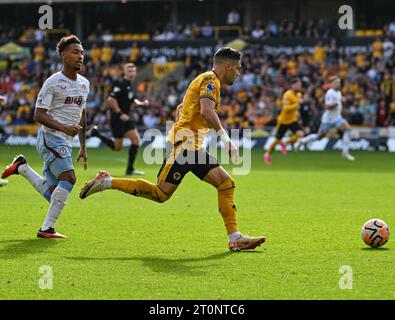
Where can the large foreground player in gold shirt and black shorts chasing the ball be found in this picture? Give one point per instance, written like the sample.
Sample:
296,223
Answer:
196,114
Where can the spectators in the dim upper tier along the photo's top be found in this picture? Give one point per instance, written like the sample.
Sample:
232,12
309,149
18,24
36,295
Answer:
261,30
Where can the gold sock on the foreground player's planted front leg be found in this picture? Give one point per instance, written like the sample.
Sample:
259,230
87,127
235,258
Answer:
227,206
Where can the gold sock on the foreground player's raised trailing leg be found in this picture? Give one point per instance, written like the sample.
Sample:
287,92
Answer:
140,188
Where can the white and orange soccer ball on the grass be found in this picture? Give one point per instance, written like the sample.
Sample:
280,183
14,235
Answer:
375,233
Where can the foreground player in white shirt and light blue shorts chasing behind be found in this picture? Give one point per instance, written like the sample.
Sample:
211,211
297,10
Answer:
60,108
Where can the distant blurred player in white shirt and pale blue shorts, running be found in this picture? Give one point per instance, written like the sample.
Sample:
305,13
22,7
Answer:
332,118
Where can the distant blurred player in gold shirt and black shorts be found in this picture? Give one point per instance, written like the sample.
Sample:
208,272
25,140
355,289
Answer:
287,120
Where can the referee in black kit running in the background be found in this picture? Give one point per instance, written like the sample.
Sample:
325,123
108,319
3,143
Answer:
120,99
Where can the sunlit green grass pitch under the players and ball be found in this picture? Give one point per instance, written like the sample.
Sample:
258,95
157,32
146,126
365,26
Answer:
310,205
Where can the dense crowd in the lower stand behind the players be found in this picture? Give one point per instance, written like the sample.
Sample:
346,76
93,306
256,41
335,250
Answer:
368,85
